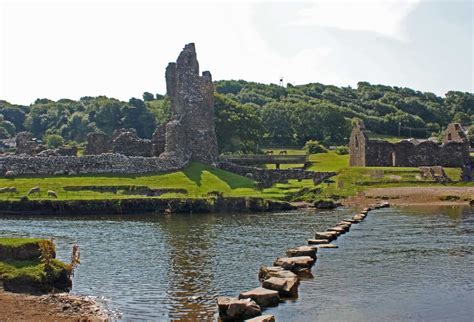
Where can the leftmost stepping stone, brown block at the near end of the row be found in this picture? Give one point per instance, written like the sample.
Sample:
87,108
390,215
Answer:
231,308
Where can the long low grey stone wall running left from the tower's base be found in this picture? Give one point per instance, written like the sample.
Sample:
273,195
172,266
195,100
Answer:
89,164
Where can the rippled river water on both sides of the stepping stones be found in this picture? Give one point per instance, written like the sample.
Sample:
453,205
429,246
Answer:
397,265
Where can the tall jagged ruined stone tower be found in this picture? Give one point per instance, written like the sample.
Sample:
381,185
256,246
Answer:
192,105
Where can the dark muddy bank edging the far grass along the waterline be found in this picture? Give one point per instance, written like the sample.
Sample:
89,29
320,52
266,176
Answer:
140,206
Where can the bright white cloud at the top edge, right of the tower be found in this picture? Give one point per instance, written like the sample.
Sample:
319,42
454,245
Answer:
379,16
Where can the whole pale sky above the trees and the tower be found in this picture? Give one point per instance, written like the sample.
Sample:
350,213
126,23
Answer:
72,48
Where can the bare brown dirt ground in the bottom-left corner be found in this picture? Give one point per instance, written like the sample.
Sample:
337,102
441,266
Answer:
59,307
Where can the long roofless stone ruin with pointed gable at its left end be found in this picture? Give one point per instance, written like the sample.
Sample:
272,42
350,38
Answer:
372,153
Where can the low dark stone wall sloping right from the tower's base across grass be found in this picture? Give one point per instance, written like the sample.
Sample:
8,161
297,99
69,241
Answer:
267,177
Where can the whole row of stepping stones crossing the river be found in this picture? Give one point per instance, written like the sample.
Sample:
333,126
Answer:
283,279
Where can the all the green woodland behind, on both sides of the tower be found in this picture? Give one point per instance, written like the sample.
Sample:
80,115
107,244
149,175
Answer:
251,115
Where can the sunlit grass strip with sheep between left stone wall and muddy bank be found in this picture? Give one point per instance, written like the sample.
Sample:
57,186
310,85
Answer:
197,179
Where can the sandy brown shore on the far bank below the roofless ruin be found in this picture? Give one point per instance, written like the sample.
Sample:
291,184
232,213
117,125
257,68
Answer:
400,196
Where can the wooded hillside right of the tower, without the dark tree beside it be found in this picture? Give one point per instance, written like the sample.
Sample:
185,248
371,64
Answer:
293,115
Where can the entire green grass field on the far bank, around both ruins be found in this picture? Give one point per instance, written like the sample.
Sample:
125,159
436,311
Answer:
198,180
